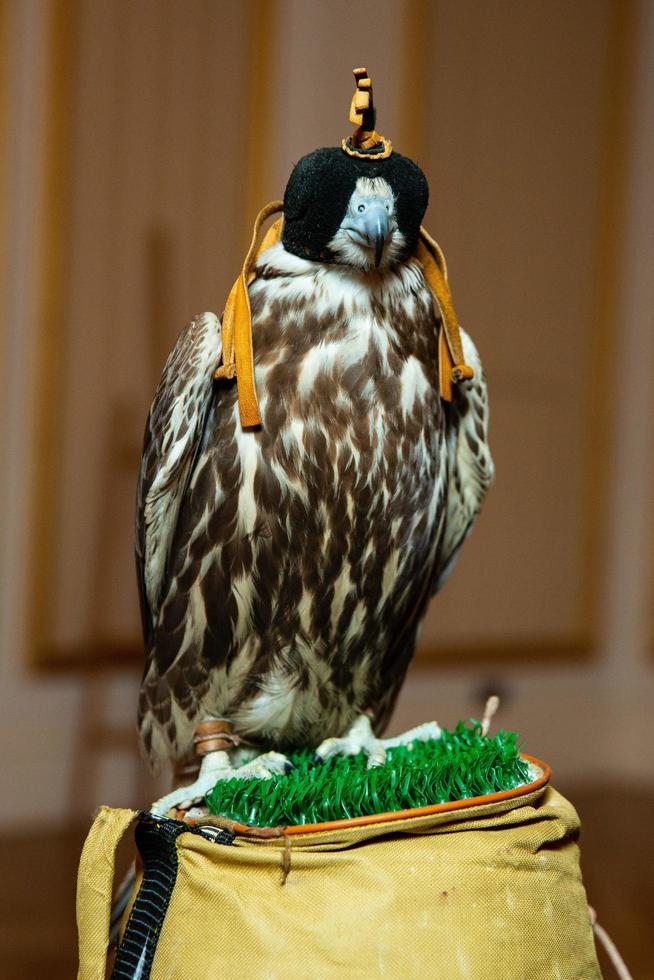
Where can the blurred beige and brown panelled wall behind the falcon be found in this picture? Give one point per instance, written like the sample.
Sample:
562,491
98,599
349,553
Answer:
141,137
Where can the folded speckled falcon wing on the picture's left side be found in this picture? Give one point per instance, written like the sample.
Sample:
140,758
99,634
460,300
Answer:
172,436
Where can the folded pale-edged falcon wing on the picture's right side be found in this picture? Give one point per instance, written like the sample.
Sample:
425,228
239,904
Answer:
470,466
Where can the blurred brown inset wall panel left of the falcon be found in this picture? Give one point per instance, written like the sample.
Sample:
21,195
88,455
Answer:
157,171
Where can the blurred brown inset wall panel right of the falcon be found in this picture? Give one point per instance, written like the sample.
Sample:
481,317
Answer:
519,109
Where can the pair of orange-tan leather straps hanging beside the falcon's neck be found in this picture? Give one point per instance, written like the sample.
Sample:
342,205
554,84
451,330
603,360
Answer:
238,351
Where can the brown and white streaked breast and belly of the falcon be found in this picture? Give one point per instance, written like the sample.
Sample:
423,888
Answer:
302,552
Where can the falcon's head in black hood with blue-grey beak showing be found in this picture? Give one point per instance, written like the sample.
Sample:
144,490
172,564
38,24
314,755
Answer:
357,212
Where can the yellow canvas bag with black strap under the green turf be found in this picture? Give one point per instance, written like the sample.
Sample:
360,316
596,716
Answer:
485,889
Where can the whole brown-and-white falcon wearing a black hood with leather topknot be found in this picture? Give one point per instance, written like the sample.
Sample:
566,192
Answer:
311,468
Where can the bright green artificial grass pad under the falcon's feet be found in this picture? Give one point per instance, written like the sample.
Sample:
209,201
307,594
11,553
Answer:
460,764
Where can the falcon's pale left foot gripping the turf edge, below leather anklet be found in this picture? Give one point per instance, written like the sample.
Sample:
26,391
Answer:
218,765
